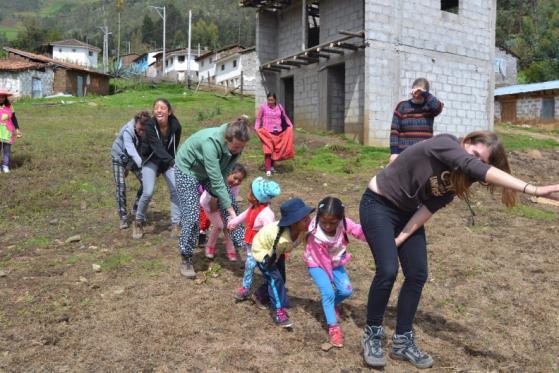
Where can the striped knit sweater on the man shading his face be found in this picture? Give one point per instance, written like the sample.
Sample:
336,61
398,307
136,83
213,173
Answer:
413,123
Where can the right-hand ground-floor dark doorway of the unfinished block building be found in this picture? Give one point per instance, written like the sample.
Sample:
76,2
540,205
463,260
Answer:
336,98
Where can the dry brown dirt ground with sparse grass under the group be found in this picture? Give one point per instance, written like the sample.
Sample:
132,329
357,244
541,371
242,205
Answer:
490,305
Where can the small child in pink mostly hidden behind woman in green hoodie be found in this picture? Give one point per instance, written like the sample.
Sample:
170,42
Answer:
210,204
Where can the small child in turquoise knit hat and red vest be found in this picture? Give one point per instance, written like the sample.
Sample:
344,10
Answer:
255,217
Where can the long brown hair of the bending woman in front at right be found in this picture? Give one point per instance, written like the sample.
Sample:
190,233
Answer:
461,183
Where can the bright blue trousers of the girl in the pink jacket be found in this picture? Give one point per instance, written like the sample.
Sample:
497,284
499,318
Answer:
331,296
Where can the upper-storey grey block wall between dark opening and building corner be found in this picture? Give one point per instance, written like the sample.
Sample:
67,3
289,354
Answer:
334,17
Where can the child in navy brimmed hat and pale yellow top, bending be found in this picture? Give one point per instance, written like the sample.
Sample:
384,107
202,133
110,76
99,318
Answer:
269,247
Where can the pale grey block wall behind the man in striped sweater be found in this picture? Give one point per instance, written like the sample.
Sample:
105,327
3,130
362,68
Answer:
455,52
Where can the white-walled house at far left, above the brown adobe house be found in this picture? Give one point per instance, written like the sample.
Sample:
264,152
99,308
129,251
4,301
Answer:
73,51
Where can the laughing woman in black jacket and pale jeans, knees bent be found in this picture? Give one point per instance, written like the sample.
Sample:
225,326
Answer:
158,149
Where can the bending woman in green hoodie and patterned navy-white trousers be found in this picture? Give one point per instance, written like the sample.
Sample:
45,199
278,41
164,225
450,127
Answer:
203,162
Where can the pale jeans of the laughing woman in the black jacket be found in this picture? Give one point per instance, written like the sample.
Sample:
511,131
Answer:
149,176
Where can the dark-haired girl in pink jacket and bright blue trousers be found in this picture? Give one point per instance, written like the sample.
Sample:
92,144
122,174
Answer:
326,255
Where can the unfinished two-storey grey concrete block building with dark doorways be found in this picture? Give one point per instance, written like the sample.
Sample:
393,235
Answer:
343,65
